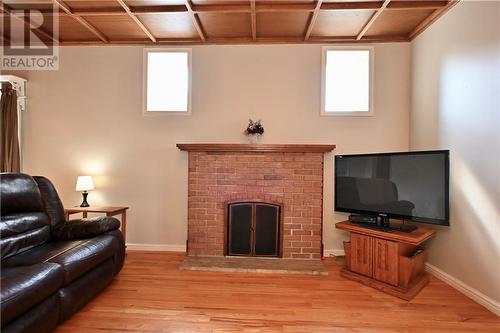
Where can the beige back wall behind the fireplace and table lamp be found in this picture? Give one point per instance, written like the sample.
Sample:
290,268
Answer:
86,119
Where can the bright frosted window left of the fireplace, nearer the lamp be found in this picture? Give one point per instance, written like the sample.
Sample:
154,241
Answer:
167,81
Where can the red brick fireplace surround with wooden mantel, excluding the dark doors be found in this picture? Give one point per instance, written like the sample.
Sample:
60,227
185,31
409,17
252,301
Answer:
288,175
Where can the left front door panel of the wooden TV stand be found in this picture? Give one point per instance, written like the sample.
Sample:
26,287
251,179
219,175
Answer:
361,254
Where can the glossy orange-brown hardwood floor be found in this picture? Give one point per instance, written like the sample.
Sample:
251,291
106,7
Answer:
152,295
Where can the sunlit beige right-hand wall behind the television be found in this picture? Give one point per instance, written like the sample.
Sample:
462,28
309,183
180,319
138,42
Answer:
455,105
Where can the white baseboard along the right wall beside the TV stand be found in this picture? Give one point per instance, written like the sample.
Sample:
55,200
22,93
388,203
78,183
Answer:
465,289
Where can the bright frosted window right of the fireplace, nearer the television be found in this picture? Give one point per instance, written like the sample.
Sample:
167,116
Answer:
346,84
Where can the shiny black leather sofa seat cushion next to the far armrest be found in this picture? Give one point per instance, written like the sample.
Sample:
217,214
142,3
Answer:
76,257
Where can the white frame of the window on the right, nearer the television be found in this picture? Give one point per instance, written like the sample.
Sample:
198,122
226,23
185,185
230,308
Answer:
371,78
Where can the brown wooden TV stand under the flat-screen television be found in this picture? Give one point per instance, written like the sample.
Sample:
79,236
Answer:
392,262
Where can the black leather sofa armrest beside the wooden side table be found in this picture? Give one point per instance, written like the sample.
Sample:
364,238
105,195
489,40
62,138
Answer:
85,228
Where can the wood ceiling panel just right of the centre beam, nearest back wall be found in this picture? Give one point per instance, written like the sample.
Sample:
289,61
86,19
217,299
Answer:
282,24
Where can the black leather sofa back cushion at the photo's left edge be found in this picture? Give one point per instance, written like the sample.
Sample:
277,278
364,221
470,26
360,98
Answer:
23,223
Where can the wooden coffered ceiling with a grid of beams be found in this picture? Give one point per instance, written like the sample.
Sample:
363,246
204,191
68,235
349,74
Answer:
228,21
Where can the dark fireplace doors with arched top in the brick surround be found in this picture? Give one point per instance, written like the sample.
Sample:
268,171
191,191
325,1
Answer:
253,229
